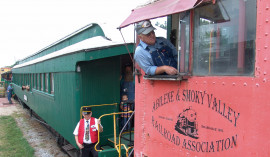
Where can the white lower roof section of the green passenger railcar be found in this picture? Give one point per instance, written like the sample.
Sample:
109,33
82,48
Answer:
98,42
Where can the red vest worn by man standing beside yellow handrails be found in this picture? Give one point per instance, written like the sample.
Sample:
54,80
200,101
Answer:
93,131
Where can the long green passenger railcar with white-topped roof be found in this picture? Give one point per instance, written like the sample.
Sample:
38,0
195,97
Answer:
81,69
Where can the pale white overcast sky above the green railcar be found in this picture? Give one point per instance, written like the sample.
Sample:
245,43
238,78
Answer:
27,26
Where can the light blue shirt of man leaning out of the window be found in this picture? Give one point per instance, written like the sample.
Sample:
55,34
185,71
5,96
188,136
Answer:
143,57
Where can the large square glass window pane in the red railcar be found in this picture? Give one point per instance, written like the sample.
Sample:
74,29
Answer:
224,38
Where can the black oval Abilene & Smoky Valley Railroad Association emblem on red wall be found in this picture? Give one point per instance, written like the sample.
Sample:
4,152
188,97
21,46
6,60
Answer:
182,118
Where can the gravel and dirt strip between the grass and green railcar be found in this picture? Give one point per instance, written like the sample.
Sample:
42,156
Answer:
36,134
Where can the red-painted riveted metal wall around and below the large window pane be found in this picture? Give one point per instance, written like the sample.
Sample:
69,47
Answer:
237,126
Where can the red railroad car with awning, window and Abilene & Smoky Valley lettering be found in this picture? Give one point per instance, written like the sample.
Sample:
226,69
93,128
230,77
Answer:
219,103
